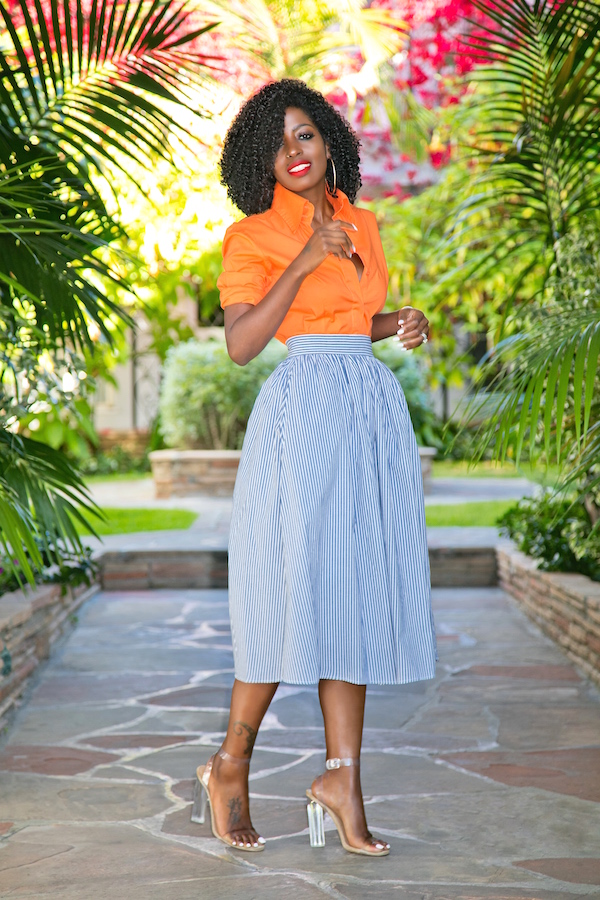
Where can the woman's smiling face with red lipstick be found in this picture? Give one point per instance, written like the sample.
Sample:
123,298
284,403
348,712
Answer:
301,161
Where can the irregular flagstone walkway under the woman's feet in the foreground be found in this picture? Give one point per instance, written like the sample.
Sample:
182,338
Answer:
486,780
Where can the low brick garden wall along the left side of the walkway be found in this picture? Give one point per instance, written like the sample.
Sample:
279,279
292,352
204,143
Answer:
31,623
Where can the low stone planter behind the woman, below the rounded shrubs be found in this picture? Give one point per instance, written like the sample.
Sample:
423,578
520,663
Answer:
179,473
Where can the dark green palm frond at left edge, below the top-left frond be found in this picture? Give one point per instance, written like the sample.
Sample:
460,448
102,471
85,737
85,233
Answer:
51,225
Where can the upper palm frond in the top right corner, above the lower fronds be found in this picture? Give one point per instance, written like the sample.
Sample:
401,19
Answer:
539,133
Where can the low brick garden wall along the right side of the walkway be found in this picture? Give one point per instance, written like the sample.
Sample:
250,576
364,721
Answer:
565,606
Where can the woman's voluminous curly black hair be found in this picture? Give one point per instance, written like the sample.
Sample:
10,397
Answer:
255,136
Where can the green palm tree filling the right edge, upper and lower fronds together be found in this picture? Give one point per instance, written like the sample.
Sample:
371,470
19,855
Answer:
539,191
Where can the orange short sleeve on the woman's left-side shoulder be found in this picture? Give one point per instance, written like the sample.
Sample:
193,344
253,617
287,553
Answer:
244,278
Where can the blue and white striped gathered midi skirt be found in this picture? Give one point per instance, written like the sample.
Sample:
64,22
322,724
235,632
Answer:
328,563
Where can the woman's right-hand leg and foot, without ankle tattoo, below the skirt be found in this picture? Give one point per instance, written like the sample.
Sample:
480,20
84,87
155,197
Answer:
343,707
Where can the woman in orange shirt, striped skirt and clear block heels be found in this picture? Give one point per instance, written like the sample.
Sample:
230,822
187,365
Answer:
329,574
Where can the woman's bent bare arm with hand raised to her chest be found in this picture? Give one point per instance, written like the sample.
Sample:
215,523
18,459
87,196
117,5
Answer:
248,328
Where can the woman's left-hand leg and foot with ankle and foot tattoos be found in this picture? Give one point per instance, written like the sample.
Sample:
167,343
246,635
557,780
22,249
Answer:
229,780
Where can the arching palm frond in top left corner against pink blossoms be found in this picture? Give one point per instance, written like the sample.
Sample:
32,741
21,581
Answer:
57,74
